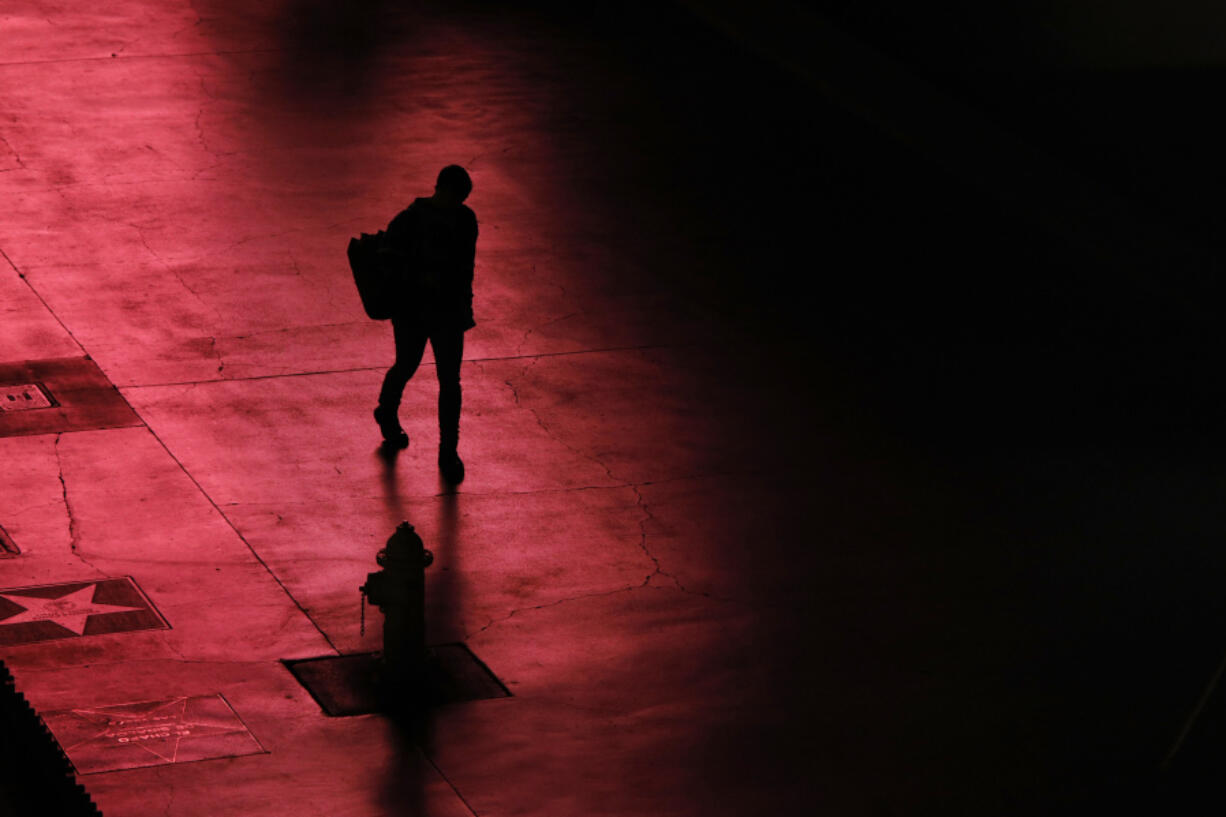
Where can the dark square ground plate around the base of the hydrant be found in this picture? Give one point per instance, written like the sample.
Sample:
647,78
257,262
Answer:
346,685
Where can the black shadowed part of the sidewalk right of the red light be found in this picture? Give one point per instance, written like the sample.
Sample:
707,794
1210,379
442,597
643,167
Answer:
1003,446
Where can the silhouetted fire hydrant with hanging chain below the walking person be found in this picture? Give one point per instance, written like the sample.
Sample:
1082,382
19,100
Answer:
399,591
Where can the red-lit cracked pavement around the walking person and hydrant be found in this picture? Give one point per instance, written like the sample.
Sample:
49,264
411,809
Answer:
180,187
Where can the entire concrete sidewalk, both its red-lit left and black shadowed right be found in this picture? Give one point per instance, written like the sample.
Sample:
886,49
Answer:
758,520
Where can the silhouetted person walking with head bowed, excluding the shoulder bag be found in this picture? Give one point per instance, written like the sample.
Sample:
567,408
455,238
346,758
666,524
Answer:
437,241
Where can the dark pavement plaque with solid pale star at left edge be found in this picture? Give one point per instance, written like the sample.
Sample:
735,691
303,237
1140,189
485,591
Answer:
53,612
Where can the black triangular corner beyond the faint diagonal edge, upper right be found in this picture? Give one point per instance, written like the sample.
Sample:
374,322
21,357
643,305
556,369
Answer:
1097,94
